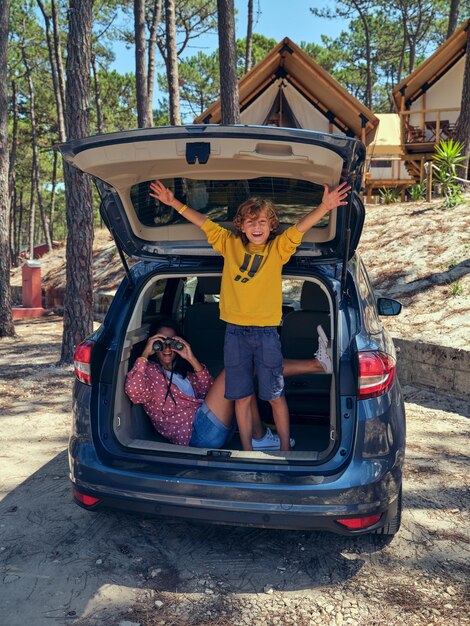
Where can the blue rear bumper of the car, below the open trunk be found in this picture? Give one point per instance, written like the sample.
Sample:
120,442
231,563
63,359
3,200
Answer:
283,503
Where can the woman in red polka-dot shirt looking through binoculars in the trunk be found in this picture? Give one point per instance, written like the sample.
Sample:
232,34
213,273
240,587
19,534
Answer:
184,402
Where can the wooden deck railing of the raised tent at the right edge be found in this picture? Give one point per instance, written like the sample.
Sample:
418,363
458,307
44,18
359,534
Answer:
428,130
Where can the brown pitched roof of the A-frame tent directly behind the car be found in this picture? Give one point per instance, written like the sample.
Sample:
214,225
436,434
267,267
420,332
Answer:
286,60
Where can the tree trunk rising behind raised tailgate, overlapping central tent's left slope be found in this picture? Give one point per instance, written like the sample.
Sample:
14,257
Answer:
230,104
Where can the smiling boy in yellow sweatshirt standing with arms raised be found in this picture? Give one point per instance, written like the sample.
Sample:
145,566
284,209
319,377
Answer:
251,303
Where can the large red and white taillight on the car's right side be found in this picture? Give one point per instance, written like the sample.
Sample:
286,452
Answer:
376,373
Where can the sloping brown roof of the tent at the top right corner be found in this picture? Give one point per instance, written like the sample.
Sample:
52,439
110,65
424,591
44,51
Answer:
431,70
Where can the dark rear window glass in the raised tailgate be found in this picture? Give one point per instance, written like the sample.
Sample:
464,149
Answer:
219,199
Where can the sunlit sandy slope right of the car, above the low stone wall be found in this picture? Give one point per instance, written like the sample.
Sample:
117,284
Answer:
419,253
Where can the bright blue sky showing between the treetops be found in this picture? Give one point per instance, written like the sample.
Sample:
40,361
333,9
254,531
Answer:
275,19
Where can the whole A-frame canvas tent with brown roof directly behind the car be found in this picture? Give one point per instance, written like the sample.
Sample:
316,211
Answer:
288,88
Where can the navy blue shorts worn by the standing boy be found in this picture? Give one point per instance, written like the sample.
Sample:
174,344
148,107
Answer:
250,348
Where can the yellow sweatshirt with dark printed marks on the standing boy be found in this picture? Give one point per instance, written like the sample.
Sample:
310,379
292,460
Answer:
251,290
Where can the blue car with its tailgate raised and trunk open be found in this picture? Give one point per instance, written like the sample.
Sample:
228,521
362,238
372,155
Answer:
344,474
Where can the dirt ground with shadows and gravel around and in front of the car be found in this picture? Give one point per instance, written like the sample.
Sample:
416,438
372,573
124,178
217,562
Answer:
62,565
